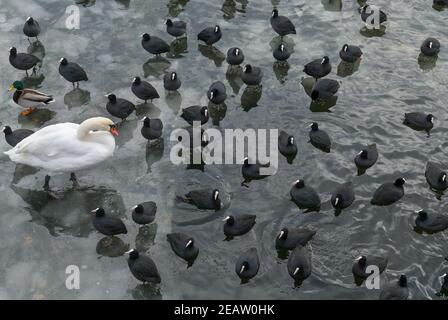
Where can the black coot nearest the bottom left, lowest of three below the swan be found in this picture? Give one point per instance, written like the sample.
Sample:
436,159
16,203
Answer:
143,267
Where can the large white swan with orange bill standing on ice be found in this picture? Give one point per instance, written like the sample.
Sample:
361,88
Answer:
67,147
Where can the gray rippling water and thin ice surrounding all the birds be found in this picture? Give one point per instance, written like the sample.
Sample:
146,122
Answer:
40,237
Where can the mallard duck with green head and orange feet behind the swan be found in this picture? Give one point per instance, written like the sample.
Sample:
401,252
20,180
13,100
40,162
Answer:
28,98
